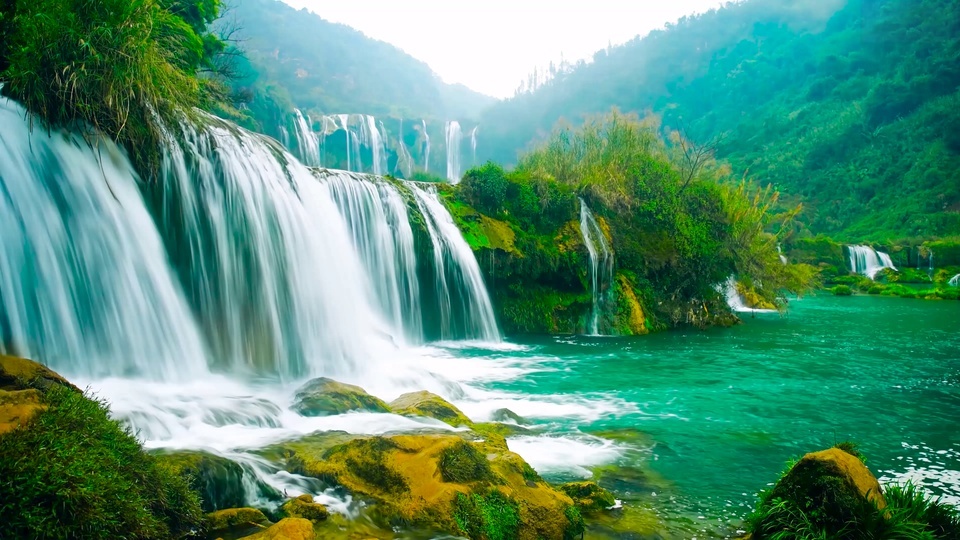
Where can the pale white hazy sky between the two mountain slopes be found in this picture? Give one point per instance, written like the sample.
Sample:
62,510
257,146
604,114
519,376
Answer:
491,45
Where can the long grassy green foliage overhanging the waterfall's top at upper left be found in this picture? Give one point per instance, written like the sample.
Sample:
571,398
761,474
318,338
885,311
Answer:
110,64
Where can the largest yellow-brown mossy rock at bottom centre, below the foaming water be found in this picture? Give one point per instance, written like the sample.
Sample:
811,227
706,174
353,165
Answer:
447,484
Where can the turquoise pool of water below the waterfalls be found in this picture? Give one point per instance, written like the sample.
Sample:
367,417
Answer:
712,417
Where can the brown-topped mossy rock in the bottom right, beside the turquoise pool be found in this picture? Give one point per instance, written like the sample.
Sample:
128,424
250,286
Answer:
828,490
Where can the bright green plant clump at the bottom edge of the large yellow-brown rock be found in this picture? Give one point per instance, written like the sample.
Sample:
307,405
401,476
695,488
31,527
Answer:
490,516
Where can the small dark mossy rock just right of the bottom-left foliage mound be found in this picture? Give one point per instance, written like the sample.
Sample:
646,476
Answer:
218,480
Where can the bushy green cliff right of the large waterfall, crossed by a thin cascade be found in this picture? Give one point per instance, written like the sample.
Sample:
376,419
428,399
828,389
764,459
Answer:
677,233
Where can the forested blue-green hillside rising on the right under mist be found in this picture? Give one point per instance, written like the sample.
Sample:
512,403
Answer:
851,107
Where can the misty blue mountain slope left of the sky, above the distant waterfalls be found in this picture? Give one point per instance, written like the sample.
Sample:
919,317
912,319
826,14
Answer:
332,68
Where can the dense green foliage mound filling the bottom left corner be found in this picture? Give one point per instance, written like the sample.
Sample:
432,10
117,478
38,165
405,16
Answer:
73,472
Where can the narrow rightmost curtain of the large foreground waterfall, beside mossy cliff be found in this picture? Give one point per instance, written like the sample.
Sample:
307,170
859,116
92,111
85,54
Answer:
463,300
